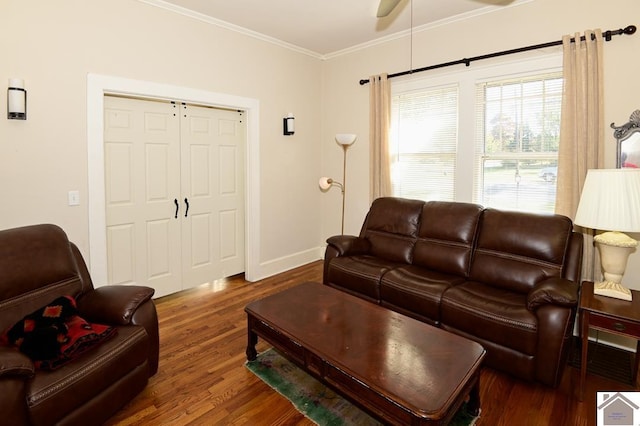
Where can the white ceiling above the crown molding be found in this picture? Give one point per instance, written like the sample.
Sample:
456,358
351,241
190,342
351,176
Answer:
327,27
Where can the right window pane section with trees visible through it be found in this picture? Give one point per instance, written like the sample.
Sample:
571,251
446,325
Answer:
518,136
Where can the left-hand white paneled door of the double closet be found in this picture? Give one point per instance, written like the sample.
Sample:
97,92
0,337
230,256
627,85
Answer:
142,179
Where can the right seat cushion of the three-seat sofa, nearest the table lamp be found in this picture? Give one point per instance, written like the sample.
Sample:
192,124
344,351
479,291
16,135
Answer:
491,313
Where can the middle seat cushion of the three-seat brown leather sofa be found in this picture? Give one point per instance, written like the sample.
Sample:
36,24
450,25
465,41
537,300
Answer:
416,291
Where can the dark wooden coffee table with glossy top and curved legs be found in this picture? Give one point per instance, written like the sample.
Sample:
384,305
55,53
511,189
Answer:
400,370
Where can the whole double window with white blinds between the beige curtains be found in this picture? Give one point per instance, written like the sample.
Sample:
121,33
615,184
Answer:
487,135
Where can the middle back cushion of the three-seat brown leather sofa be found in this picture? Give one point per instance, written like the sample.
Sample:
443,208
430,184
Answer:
446,236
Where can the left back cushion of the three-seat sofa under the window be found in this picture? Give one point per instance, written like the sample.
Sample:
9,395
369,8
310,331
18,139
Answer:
391,226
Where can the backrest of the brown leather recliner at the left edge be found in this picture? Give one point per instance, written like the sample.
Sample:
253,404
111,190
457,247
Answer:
37,265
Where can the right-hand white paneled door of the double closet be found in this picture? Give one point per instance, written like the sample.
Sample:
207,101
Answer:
213,188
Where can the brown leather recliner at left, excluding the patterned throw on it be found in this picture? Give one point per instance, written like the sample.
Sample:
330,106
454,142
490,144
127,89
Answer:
37,265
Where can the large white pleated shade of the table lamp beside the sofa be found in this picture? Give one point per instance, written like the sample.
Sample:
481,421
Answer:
610,200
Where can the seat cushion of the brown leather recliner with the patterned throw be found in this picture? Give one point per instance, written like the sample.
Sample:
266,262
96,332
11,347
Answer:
53,394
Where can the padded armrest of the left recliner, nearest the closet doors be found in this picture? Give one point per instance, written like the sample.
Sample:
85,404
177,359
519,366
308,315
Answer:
113,305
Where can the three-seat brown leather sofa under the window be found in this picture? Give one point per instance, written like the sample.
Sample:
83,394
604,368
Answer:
507,280
